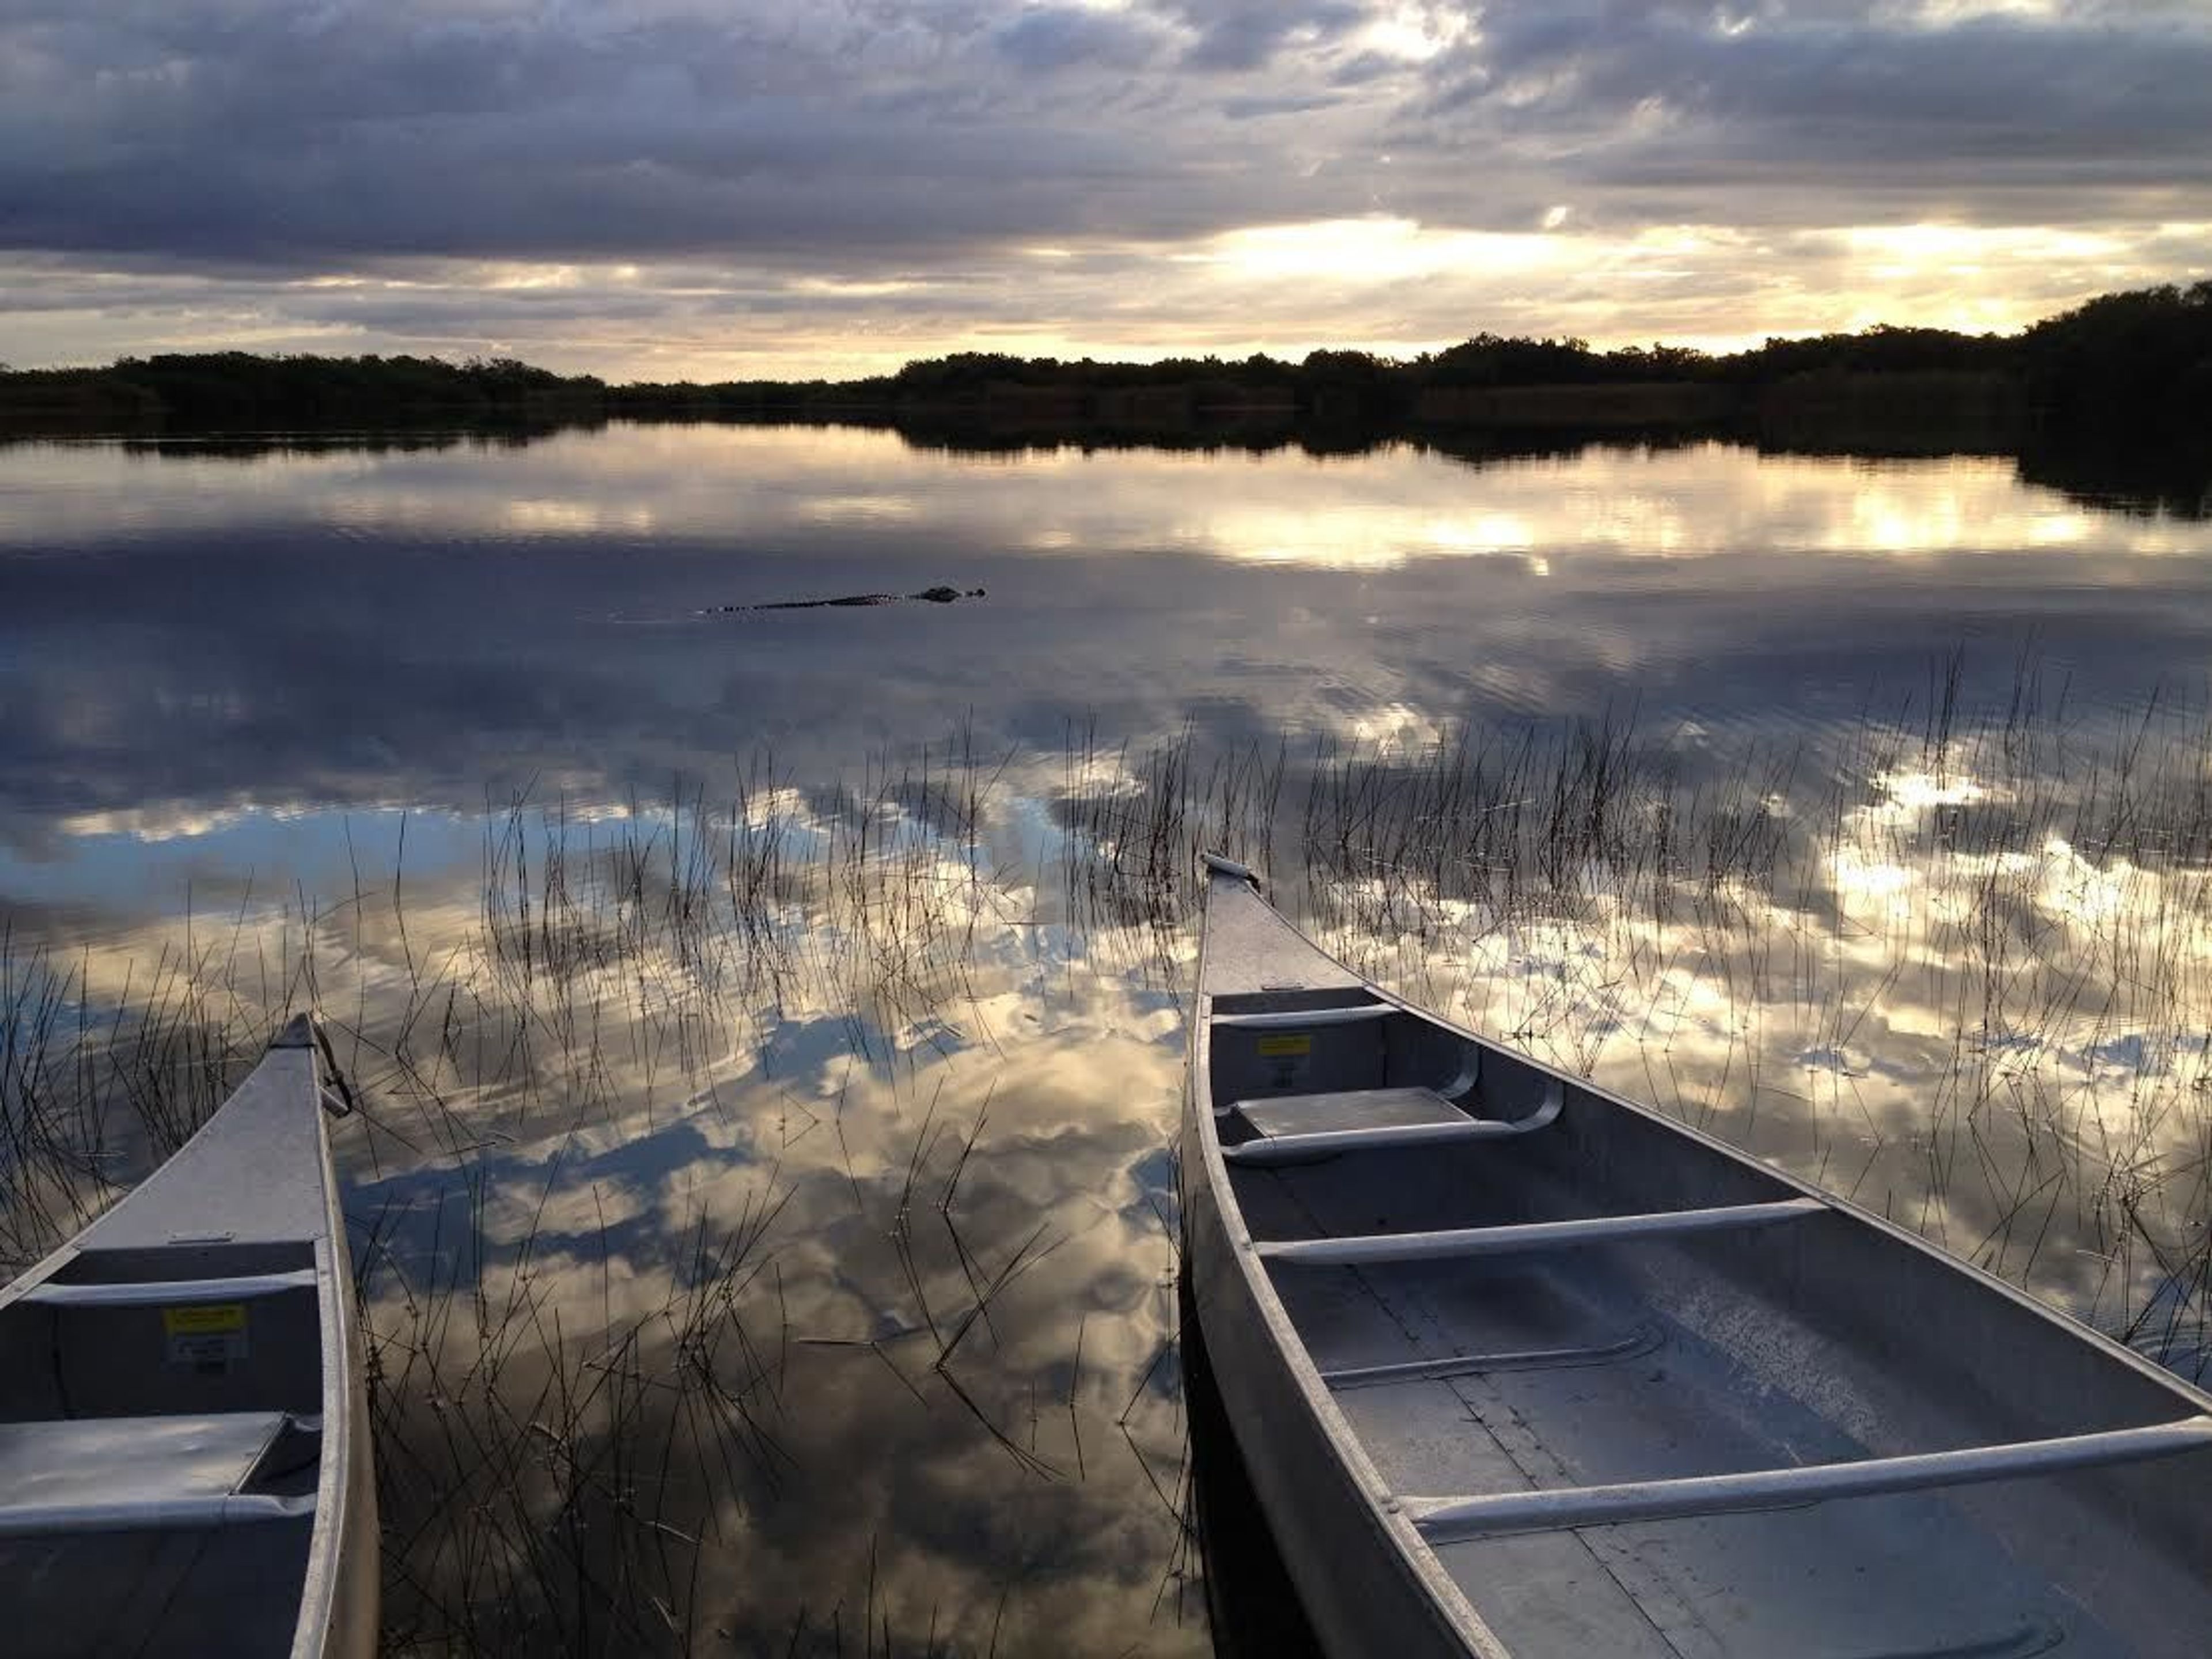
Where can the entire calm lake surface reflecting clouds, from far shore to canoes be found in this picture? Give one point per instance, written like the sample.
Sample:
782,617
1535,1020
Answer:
769,1023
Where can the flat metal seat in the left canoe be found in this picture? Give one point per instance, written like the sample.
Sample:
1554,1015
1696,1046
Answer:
138,1474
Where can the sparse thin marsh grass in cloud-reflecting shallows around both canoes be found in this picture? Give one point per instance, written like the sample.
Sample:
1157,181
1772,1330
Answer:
1952,961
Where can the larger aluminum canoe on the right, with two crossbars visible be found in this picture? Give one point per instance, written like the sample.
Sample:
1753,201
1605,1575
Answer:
1523,1368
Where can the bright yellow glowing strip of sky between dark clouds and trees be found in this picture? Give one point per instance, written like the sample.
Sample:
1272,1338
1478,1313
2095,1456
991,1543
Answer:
1384,284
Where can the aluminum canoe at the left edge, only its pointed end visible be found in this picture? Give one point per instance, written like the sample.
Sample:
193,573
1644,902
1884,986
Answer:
185,1452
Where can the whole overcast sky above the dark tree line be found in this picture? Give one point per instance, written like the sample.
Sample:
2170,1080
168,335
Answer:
658,189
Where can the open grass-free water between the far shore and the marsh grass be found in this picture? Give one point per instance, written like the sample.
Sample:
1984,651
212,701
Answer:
189,638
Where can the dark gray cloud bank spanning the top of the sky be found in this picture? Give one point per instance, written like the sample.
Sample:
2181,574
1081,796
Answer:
218,129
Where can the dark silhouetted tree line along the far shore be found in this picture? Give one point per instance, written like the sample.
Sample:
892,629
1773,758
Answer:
2138,364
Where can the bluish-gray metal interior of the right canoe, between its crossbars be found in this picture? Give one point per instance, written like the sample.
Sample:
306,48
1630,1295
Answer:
1744,1350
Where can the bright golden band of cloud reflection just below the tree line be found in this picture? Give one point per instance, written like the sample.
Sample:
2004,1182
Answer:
738,483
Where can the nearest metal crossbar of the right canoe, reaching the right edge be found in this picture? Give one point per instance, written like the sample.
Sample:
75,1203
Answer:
1448,1521
